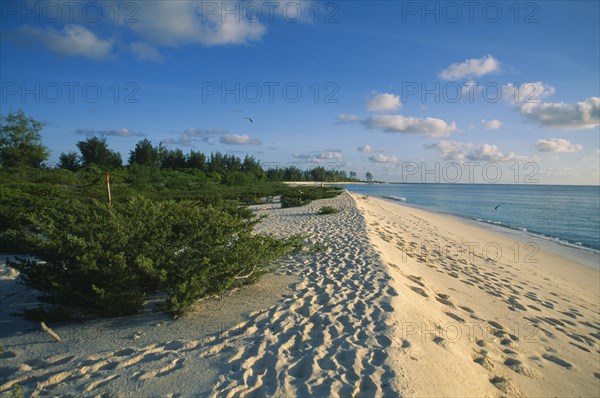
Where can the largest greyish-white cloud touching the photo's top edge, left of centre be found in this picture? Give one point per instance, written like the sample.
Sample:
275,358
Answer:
180,22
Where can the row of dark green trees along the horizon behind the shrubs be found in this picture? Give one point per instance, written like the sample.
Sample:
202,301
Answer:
21,145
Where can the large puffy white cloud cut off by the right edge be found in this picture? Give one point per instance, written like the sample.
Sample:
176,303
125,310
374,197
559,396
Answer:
582,115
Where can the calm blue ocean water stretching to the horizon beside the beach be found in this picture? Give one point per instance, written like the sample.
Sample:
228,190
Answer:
566,214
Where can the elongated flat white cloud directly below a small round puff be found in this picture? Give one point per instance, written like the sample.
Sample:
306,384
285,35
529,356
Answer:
402,124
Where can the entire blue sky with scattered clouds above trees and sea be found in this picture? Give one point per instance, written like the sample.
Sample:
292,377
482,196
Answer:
411,91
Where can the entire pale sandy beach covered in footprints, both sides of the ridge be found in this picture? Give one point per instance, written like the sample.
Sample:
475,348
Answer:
393,301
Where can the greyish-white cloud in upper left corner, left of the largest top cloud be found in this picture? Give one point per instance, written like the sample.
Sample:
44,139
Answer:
72,40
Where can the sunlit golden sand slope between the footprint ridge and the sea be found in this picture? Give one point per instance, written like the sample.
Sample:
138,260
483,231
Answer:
526,324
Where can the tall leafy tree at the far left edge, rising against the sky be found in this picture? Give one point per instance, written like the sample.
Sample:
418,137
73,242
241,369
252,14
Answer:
20,141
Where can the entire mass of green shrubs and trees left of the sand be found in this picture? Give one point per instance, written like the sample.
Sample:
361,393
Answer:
177,223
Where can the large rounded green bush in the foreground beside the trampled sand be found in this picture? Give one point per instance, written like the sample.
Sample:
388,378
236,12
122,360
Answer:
110,260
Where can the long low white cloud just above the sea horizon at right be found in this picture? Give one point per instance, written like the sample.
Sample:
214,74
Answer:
460,151
